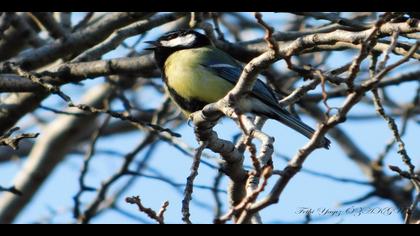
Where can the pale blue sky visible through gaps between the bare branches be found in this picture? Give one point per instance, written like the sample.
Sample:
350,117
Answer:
304,191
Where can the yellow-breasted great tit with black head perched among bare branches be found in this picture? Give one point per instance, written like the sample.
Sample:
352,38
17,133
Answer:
196,73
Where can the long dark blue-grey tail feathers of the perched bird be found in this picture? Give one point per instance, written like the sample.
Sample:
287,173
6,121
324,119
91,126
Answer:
288,119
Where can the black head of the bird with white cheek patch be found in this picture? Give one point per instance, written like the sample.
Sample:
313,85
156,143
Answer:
174,41
